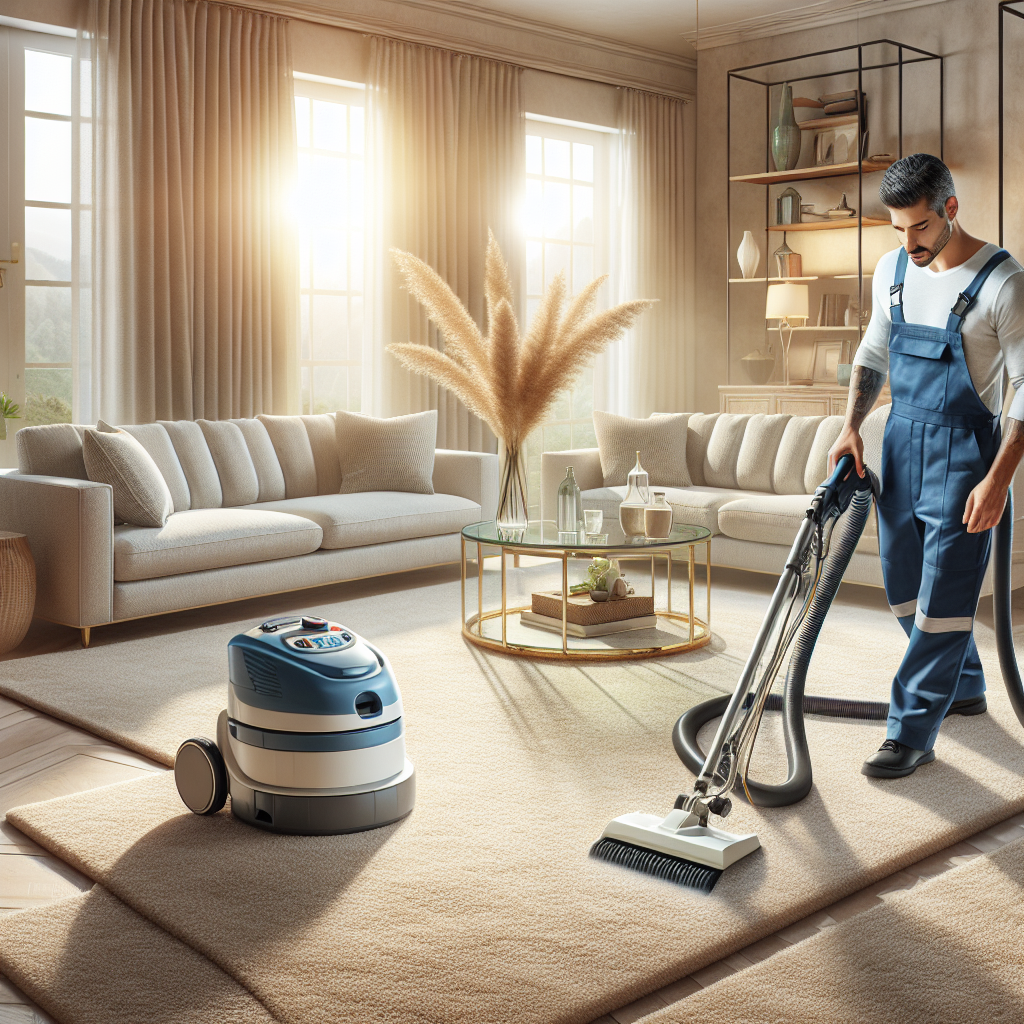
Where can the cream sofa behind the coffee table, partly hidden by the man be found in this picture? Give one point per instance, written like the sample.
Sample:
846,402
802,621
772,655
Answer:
752,479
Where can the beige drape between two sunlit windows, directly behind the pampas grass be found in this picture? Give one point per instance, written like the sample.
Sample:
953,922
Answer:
448,162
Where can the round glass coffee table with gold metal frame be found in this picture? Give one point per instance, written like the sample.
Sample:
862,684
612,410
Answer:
522,630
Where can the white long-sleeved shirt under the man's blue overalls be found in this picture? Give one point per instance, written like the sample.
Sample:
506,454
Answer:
993,331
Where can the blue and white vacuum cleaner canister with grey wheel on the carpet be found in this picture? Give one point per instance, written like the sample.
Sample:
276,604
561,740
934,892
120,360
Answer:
313,742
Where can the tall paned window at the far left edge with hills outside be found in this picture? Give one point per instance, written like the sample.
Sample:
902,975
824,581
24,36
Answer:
44,305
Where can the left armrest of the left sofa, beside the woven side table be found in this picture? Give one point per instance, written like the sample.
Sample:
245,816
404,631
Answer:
70,527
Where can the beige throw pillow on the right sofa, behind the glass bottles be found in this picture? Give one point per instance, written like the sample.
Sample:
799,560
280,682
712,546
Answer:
661,442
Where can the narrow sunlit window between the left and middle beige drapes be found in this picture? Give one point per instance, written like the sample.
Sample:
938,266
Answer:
331,140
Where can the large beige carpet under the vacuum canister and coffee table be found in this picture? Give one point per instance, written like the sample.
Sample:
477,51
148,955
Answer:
483,906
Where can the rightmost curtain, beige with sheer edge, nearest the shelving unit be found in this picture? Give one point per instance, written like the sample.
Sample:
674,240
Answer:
647,372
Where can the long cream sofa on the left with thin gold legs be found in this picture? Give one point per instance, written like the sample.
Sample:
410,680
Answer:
221,545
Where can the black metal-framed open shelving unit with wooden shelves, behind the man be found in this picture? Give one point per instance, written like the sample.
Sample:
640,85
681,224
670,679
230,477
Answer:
885,74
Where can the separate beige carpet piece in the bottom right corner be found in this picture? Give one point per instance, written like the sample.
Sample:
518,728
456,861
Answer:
949,951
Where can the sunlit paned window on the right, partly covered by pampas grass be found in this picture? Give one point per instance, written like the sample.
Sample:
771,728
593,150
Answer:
567,227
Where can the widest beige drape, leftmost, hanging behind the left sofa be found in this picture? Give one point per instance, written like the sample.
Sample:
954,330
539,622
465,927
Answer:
195,259
